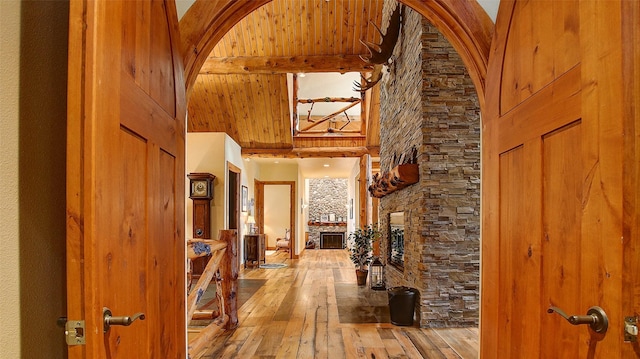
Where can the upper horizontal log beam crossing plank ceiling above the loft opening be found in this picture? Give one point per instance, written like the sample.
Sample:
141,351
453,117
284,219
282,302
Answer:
284,64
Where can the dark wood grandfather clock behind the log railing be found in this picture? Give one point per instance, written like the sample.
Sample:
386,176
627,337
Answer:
201,193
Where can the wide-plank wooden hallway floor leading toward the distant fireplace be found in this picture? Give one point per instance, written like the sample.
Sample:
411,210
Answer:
314,309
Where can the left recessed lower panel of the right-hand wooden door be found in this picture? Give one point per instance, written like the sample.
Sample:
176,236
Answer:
516,246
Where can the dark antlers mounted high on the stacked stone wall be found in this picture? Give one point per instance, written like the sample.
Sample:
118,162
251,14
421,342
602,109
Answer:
381,53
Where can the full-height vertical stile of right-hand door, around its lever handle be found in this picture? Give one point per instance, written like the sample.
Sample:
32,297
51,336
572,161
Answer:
602,155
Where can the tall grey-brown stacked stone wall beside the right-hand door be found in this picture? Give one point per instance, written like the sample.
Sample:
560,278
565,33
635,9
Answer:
428,102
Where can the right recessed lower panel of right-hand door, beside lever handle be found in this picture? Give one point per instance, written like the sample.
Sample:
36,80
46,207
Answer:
561,238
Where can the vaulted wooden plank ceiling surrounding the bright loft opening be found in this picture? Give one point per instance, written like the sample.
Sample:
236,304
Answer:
242,88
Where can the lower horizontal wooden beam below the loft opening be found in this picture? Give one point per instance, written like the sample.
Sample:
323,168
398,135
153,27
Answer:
309,152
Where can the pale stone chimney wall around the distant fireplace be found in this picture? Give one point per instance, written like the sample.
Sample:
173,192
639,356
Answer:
327,195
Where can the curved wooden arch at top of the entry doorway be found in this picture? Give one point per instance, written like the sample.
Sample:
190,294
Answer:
464,23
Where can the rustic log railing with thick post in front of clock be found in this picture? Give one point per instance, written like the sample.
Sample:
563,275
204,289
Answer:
223,268
